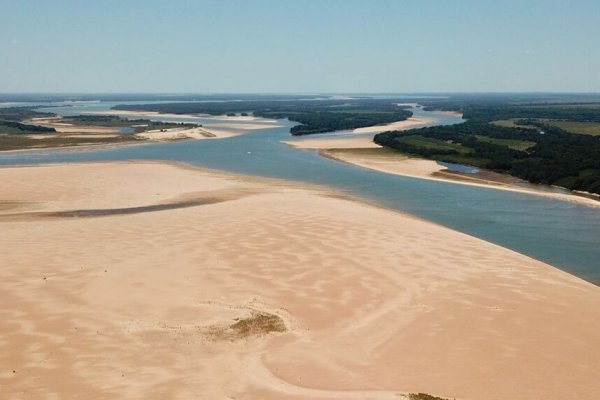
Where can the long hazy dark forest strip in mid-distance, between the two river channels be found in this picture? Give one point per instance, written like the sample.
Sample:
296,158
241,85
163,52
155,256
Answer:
314,116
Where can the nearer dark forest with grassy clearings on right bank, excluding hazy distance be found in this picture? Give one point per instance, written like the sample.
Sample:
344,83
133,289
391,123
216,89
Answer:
550,156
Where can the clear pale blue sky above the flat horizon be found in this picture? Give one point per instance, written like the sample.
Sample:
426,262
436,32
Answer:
299,46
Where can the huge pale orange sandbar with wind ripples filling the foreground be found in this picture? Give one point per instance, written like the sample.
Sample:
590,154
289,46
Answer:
190,302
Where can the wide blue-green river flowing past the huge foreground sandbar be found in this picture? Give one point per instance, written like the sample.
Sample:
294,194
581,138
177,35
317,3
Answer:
563,234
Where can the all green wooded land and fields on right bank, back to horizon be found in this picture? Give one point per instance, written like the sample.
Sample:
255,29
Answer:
543,138
